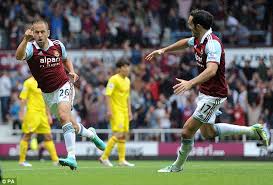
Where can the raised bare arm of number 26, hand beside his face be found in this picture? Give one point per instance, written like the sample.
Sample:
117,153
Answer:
21,50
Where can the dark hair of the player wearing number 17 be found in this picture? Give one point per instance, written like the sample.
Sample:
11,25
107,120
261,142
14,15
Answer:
202,17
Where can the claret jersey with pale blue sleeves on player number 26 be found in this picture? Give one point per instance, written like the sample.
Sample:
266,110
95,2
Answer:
46,65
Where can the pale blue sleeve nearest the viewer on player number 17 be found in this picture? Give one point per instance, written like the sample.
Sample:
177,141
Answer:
213,50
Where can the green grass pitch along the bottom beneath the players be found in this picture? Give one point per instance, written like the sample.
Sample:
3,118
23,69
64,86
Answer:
92,173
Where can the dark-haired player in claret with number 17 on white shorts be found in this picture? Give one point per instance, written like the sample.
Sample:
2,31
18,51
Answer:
210,57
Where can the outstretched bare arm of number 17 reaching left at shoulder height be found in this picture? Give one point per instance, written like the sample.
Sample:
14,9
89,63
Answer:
181,44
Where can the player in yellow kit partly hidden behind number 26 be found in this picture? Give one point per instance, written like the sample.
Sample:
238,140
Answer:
36,119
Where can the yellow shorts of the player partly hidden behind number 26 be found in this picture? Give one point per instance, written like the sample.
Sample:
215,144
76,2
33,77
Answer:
36,122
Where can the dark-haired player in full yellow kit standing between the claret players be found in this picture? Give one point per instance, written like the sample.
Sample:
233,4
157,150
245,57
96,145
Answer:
119,113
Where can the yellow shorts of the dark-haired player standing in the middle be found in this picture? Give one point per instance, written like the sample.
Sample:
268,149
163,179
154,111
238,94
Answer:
119,122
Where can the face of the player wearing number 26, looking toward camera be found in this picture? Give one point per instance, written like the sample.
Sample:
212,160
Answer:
40,33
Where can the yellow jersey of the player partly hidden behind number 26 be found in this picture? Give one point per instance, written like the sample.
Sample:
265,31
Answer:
33,95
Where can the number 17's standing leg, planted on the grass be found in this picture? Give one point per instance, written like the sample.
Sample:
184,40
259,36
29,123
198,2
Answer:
187,141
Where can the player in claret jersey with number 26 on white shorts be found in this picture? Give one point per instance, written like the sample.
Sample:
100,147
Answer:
47,60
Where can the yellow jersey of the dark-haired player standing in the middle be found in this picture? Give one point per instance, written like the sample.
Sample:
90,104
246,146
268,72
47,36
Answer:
118,89
